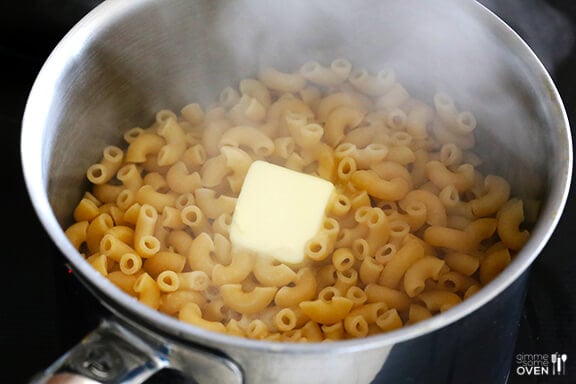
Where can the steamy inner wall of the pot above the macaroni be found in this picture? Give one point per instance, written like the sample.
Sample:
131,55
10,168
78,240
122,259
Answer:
166,54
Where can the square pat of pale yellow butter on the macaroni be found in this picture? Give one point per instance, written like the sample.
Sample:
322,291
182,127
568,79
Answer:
278,211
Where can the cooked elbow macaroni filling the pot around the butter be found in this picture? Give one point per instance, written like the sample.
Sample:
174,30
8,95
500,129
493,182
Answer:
413,229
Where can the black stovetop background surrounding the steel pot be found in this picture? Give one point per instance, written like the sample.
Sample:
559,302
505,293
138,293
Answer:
44,311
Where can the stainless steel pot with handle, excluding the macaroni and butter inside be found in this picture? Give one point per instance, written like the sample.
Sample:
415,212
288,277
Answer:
127,59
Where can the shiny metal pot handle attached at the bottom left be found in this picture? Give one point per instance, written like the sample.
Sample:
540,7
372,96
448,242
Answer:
113,354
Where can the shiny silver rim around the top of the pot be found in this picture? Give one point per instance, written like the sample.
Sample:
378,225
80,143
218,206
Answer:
35,163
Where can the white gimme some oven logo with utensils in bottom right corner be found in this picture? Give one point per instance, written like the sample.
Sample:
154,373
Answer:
540,364
